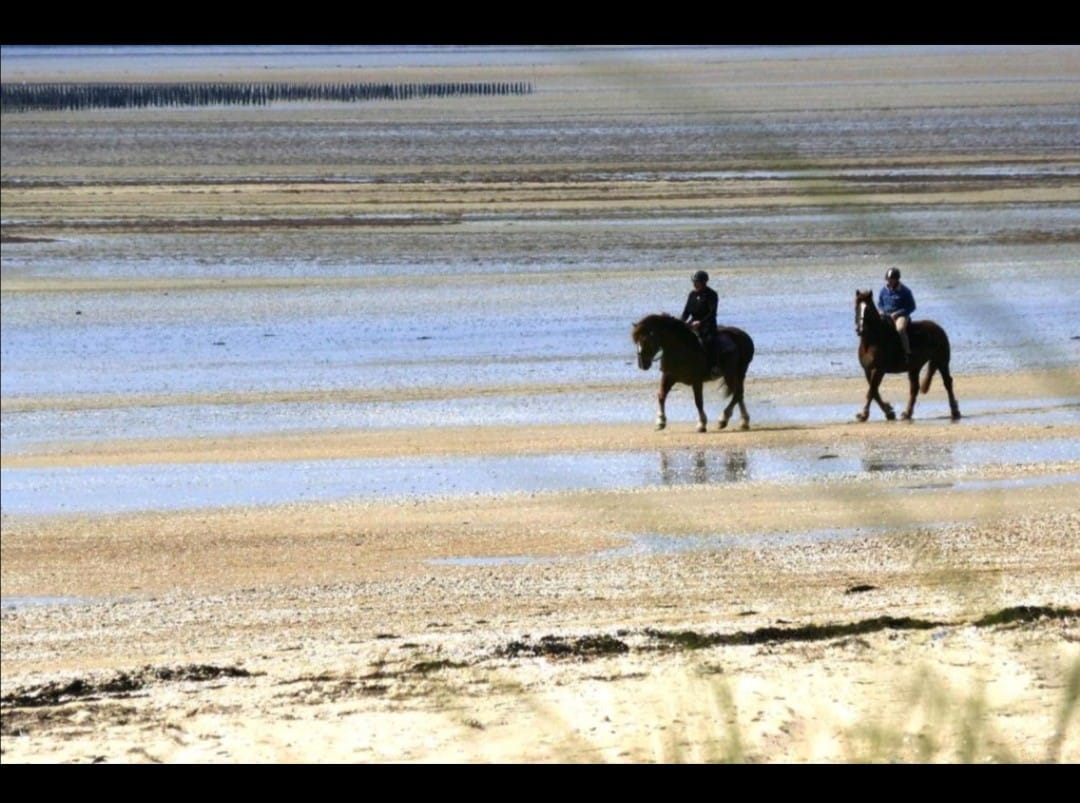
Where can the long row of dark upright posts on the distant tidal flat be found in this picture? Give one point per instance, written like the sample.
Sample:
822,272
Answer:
77,97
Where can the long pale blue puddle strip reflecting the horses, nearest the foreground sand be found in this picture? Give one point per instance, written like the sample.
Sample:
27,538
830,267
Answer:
117,489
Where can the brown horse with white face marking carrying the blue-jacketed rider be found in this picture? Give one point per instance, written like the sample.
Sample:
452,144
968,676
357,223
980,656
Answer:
881,352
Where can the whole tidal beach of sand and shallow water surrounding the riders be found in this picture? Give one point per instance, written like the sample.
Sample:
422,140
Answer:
550,580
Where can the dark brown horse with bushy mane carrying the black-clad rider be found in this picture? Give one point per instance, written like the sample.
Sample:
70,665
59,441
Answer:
684,360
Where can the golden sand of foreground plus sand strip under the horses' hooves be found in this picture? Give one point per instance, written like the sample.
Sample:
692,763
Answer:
816,620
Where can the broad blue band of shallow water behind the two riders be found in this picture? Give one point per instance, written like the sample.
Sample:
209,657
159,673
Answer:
517,329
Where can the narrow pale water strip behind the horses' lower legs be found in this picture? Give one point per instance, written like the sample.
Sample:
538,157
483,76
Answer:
21,431
